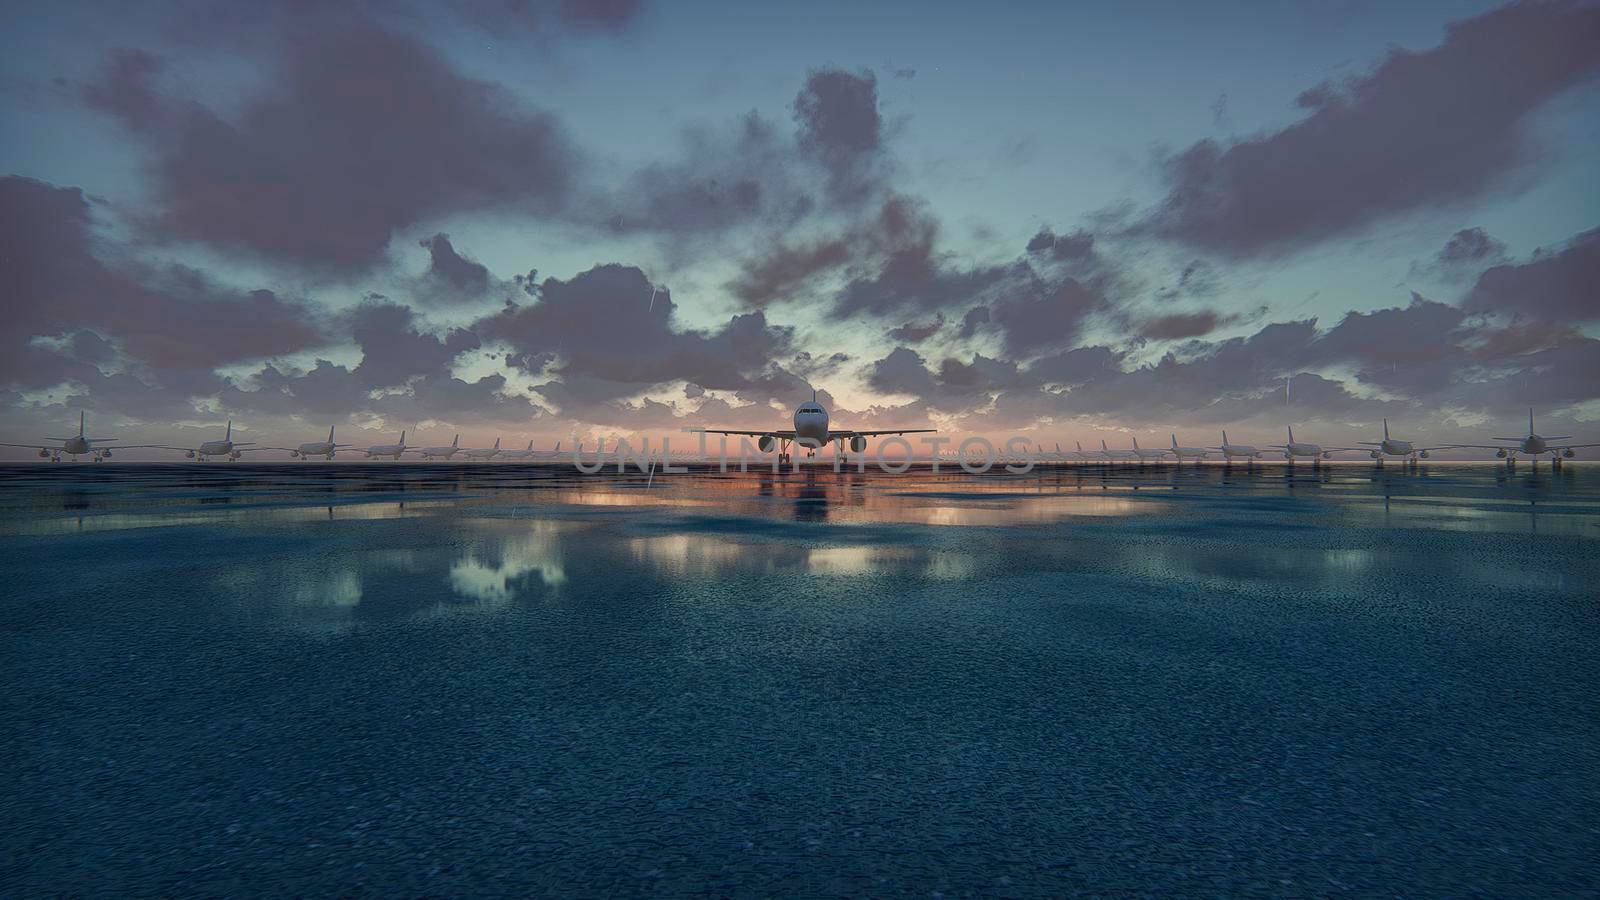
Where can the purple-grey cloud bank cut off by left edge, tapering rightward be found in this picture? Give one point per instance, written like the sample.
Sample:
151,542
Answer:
161,316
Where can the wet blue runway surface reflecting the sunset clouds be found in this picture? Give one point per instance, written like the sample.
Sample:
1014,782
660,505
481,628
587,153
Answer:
518,680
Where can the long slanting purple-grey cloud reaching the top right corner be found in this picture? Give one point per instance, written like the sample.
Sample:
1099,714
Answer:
1425,129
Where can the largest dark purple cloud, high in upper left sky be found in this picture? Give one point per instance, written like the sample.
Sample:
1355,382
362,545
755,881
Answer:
364,132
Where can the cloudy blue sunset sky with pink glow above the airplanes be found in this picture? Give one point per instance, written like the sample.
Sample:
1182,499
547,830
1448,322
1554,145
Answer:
562,220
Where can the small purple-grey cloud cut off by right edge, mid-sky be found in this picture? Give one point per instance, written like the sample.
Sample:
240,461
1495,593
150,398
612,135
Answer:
1562,286
